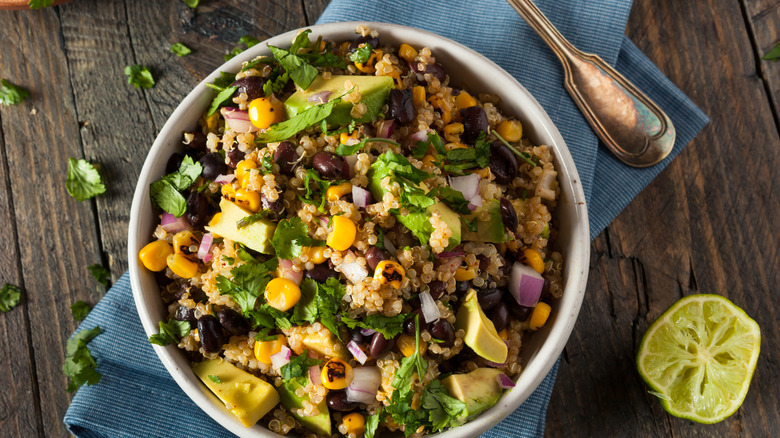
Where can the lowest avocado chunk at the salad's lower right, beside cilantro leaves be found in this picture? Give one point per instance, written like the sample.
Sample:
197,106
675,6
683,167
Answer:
479,389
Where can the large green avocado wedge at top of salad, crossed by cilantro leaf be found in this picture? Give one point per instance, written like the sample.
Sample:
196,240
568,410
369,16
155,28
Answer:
373,91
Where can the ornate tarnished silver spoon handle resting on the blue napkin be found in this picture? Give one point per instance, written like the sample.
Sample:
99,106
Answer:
631,125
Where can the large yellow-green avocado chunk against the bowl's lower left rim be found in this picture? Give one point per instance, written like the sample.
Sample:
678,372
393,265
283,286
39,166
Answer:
248,397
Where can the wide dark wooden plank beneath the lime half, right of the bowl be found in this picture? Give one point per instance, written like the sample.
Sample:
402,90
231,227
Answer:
704,225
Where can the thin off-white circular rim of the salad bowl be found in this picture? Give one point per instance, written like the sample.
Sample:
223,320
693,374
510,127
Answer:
577,262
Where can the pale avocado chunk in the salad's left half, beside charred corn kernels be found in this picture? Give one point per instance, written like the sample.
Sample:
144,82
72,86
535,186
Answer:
256,235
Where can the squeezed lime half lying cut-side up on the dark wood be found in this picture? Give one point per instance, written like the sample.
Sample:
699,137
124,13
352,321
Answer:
699,357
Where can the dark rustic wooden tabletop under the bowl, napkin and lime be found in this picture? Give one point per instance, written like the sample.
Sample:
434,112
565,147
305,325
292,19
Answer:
709,223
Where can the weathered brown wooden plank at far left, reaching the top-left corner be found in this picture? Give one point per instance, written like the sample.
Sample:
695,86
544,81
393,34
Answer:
57,237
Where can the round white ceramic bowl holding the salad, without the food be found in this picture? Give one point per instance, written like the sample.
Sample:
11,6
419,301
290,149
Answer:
475,73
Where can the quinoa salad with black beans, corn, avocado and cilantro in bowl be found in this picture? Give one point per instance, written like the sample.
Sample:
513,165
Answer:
350,243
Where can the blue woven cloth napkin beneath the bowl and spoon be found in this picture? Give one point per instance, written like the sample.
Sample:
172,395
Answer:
137,397
